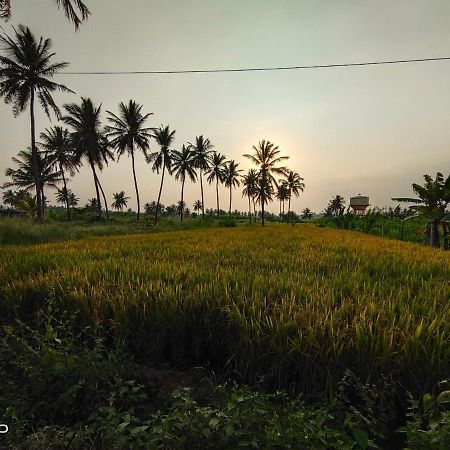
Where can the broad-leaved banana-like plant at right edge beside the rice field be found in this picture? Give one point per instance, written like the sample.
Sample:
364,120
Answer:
433,199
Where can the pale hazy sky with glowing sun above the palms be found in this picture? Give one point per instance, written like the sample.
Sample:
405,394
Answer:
369,130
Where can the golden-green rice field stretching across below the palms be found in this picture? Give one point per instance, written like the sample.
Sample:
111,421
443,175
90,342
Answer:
296,305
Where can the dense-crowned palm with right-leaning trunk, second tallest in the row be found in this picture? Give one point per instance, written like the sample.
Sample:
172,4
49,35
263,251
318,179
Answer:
88,141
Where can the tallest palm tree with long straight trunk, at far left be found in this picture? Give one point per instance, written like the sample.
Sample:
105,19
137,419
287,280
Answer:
25,73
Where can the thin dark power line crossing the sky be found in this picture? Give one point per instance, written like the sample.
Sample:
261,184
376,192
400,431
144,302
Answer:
258,69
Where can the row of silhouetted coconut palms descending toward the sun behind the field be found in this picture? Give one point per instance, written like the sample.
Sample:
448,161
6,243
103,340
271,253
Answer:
26,71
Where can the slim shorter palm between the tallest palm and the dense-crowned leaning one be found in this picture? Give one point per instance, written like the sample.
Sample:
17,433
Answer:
56,142
